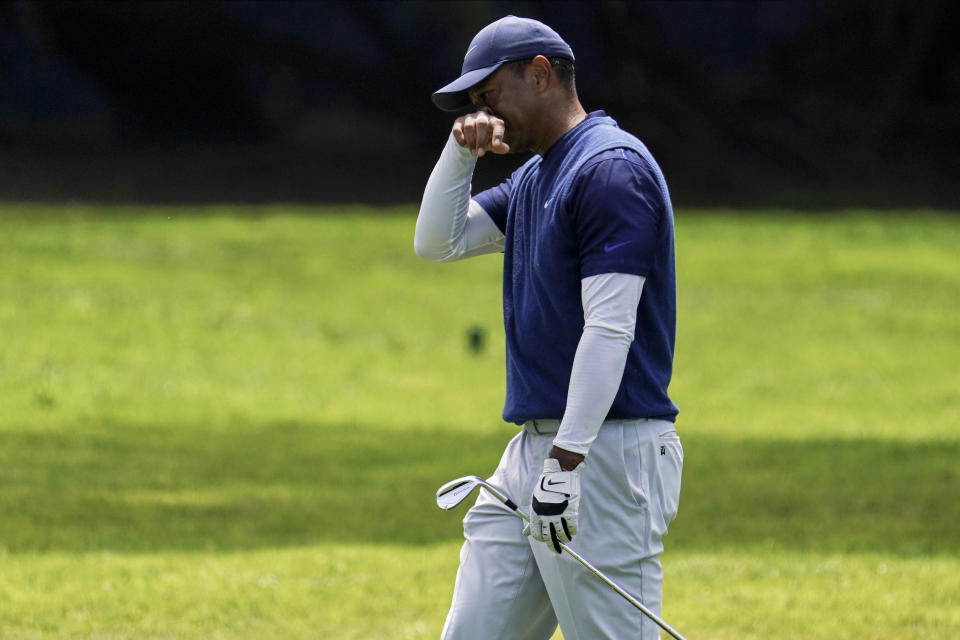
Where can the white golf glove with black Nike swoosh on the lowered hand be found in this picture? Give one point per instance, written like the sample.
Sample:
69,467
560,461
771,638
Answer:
556,501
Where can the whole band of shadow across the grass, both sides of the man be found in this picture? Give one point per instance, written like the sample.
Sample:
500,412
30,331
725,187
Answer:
157,488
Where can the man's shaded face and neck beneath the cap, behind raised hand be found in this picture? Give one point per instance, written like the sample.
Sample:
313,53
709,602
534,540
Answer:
509,96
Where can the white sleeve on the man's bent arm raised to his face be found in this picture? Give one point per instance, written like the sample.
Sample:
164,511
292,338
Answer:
451,225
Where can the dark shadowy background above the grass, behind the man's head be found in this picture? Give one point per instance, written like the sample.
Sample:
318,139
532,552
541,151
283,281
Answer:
793,104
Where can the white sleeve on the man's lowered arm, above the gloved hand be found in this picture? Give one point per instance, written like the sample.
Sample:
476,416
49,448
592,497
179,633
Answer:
610,316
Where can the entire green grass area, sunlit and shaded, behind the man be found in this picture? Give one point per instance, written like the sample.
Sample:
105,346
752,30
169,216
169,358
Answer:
204,413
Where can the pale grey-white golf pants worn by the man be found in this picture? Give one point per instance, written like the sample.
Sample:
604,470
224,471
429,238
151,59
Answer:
514,588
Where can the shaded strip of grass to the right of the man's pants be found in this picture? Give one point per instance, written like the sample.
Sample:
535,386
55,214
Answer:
824,495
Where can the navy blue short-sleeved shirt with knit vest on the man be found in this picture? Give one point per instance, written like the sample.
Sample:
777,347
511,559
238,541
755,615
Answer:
595,203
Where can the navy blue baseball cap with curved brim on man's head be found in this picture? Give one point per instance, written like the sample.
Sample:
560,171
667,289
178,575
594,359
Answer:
509,38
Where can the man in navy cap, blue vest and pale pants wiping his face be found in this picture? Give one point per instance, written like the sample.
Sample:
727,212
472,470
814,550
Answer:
589,307
